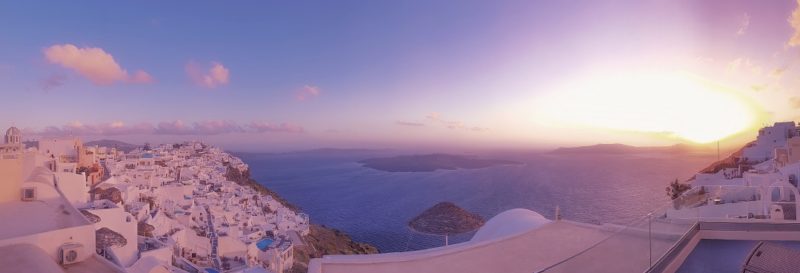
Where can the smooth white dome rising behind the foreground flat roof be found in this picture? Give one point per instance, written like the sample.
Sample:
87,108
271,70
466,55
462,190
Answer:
510,222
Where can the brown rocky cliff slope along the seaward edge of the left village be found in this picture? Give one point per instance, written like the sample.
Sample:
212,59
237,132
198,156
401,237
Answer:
320,241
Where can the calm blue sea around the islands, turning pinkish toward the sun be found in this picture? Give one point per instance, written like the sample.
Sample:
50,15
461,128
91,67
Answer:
375,206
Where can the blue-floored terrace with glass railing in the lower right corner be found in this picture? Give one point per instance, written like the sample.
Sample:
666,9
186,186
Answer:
705,230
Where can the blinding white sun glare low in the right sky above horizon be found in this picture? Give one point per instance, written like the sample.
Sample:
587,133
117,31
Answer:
678,105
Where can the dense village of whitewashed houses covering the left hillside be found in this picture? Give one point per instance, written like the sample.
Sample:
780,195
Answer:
170,208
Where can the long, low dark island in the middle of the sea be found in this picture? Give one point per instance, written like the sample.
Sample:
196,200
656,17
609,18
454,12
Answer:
431,162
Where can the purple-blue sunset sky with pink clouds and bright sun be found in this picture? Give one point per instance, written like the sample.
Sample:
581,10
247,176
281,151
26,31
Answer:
284,75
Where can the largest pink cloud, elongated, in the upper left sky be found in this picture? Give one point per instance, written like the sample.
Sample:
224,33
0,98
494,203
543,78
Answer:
93,63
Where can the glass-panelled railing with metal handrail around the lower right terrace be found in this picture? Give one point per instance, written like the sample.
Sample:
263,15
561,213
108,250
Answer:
644,242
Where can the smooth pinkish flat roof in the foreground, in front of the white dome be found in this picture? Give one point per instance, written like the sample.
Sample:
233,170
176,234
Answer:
524,253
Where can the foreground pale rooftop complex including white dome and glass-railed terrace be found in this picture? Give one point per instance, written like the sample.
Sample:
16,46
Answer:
678,237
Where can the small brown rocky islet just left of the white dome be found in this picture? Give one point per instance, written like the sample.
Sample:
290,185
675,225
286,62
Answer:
446,218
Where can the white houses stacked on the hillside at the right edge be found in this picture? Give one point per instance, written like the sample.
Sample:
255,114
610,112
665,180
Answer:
758,183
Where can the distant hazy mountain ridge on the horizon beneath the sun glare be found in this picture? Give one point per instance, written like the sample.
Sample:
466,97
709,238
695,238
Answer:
617,148
